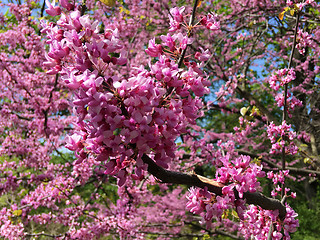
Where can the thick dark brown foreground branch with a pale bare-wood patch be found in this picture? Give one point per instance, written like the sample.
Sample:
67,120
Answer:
195,180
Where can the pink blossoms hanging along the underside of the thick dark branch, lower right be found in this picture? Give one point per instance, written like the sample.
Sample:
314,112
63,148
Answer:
255,221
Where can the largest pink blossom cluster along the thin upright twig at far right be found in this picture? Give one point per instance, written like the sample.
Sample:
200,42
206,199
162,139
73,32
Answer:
277,136
